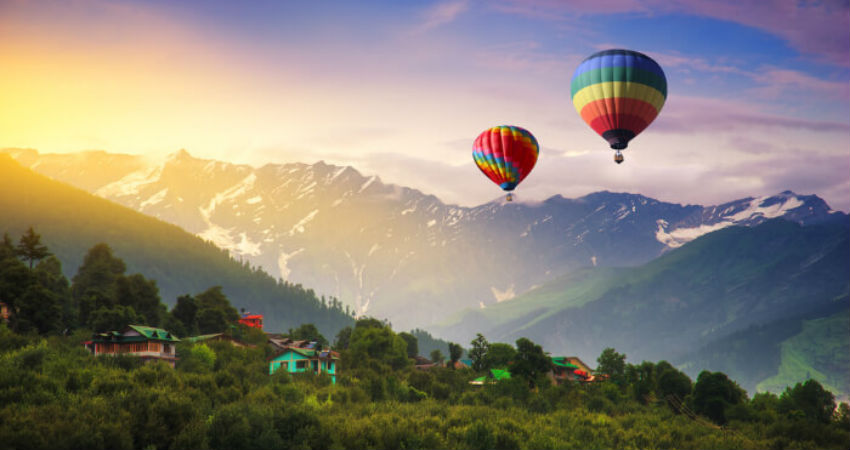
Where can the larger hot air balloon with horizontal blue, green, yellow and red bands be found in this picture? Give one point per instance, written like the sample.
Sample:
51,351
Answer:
618,93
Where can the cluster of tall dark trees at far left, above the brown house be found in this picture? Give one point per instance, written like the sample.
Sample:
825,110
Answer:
100,297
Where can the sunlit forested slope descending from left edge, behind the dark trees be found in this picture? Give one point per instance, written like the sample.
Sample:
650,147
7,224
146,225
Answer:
72,221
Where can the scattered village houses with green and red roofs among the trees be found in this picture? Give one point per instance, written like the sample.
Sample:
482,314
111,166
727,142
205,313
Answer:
296,356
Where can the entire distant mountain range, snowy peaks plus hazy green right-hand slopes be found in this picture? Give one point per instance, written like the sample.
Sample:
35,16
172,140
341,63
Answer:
743,285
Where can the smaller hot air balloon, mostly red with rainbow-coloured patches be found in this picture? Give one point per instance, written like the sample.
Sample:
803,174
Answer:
506,154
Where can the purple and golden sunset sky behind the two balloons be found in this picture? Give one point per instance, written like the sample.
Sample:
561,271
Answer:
758,91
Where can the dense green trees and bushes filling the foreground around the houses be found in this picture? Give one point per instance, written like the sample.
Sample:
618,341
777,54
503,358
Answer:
55,394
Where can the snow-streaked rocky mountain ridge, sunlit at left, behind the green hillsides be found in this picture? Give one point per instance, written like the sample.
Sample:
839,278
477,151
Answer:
395,252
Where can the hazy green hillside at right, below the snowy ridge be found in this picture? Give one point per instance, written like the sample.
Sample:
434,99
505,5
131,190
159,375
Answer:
762,281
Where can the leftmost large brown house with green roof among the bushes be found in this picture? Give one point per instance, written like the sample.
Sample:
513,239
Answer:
148,343
